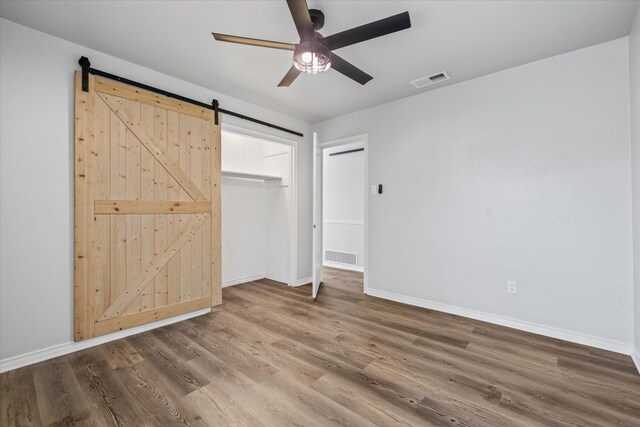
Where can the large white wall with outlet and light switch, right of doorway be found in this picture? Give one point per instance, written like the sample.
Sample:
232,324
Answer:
520,175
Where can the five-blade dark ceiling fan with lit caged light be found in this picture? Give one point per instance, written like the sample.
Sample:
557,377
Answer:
314,53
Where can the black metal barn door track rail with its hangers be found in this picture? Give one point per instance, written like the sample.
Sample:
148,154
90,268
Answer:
86,70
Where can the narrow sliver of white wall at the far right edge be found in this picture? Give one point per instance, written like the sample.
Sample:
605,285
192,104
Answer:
634,73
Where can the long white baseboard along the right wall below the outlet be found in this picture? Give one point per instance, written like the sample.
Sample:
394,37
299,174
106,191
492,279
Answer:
550,331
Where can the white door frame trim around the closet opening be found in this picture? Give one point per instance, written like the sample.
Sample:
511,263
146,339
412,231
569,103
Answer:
292,270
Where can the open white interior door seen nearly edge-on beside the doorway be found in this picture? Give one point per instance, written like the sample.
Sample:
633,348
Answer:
317,217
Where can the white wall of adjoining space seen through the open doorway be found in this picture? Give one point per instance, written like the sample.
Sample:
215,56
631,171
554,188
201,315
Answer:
343,201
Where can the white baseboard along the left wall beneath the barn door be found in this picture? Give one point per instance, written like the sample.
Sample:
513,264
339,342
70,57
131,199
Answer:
36,356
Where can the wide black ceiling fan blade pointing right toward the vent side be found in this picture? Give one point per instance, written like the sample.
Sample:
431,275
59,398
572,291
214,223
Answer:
368,31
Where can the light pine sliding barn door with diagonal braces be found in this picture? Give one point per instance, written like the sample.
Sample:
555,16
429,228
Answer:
147,208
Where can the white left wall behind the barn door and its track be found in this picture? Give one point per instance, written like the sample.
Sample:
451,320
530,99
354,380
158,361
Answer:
36,189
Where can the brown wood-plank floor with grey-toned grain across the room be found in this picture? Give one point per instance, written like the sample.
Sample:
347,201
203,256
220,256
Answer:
270,356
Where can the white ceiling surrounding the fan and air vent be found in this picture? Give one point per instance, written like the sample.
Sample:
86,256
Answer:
467,39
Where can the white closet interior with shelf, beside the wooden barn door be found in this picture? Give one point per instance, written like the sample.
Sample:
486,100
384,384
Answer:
258,208
